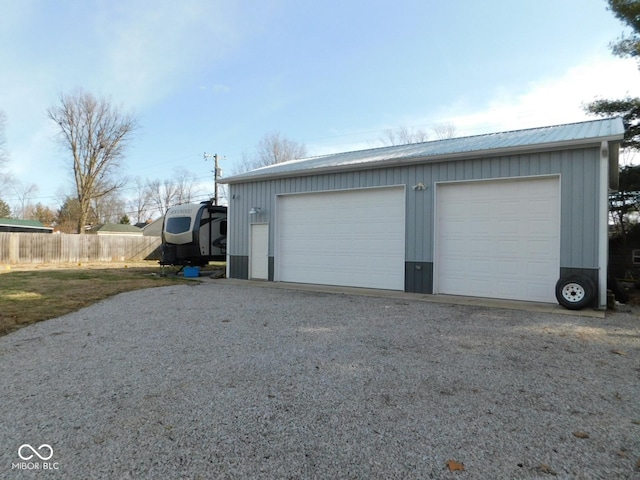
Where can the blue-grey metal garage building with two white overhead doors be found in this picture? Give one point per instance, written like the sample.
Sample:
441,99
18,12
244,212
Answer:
502,215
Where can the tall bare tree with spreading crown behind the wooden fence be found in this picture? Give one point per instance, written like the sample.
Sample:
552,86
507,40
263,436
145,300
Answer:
96,133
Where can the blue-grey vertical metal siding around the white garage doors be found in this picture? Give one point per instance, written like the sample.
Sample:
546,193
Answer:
579,193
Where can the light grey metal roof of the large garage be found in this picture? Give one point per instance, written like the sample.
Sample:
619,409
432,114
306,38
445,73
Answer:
558,136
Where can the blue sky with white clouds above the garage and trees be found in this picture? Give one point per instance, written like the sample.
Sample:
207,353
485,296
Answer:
216,76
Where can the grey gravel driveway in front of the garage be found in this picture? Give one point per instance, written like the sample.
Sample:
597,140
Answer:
213,380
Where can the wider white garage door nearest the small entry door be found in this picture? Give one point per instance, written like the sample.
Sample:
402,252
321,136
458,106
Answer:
351,238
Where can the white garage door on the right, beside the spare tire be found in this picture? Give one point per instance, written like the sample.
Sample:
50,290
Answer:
498,239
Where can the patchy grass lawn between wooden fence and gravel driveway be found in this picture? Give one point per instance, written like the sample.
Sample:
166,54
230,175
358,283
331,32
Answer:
32,293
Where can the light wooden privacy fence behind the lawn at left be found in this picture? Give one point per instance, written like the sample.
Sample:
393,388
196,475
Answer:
64,248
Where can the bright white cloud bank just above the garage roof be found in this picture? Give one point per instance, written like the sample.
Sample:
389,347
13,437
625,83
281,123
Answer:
543,102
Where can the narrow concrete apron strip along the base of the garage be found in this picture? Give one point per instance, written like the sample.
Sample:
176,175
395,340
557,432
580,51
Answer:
446,299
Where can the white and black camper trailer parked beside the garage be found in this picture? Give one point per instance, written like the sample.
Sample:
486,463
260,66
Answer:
194,234
